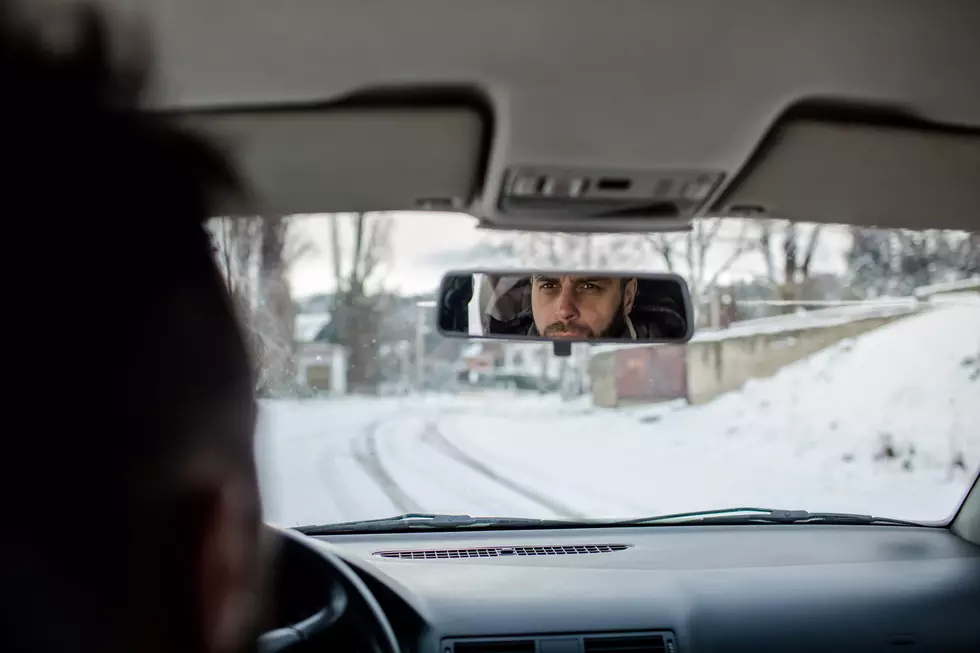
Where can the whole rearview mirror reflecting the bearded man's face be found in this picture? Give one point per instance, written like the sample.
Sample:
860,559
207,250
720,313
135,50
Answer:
548,305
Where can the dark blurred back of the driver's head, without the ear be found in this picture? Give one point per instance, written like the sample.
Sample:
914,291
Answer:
126,353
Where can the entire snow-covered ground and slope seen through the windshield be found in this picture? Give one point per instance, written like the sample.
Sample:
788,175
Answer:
871,425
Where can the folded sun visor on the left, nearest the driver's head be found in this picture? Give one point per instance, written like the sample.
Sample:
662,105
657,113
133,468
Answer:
356,157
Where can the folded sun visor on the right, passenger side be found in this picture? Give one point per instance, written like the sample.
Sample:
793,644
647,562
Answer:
889,174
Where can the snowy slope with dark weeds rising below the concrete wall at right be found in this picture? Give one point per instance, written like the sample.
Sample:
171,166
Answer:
904,393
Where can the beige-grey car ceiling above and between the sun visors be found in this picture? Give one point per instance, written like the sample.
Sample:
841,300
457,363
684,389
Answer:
625,84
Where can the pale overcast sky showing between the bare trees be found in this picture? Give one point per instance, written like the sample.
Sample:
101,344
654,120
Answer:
425,245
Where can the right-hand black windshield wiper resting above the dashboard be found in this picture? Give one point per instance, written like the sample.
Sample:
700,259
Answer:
736,516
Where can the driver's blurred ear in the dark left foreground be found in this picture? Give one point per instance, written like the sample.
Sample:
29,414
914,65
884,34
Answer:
228,564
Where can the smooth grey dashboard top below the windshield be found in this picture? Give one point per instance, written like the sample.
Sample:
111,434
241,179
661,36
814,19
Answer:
787,588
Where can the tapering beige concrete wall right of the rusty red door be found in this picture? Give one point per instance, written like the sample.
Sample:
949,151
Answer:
714,368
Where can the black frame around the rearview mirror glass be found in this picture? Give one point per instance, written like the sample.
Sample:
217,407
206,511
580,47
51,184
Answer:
655,276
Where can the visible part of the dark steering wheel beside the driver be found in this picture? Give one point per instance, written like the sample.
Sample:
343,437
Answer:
346,599
